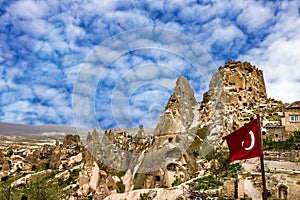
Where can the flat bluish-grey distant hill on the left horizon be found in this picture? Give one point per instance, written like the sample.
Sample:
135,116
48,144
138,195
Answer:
41,130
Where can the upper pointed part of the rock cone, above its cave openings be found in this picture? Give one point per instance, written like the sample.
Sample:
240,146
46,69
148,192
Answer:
178,114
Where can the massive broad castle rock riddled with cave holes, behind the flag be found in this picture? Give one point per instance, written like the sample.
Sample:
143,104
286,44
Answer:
236,86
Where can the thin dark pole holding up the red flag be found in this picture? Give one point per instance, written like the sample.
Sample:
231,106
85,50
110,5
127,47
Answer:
264,194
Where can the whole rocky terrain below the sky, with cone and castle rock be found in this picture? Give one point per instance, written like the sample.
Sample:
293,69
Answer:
184,157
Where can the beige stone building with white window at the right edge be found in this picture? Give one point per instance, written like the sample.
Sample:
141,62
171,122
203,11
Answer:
292,117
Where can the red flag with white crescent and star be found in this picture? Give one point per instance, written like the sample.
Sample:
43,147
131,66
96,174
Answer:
244,142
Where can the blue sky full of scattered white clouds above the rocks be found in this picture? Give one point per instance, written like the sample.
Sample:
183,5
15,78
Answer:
118,60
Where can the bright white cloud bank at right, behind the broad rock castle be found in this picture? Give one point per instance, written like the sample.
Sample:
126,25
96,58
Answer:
279,56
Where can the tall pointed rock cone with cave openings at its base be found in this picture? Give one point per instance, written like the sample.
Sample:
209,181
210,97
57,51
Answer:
167,158
